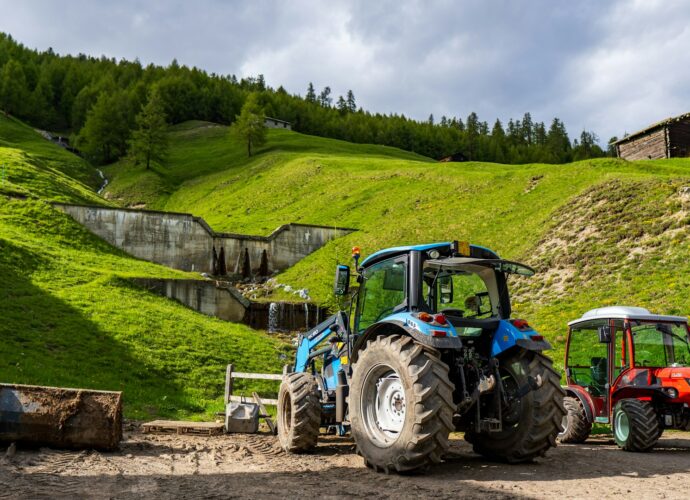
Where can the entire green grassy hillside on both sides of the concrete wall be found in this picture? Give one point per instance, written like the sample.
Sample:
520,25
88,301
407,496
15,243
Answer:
600,232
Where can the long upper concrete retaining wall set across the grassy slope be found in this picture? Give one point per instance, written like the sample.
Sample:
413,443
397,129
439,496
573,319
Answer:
186,242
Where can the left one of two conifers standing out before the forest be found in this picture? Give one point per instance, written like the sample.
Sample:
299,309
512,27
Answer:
149,141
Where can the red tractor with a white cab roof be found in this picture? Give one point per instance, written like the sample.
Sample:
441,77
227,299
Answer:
628,368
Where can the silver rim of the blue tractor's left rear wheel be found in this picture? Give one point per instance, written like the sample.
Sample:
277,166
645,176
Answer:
383,405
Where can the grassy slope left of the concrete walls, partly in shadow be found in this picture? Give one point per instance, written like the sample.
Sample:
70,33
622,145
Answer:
71,318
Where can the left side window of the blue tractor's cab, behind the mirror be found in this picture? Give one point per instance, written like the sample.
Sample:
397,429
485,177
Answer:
383,290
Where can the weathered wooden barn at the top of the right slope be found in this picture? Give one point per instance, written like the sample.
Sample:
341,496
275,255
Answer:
669,138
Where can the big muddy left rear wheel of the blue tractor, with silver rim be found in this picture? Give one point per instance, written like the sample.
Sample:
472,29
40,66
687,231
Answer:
412,378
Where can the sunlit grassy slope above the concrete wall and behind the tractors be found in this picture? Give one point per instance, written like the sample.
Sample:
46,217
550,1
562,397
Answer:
600,231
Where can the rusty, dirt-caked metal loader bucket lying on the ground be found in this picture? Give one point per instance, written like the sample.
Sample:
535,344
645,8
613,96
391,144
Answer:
59,417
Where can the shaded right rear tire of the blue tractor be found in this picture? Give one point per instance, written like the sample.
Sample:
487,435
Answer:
531,423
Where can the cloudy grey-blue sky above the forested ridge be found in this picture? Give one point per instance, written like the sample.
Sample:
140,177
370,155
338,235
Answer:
610,67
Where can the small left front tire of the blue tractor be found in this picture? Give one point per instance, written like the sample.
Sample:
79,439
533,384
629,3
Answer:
299,413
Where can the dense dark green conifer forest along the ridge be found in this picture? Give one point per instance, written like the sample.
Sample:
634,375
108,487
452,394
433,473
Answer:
100,102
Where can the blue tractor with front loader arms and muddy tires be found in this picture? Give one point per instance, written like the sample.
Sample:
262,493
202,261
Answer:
430,349
